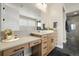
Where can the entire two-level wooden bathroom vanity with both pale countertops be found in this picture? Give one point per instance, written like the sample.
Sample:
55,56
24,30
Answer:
41,44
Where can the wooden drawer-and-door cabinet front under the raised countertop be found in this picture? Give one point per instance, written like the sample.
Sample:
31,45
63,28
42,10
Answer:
48,43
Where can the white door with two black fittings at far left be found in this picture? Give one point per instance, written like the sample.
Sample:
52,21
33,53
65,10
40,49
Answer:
10,17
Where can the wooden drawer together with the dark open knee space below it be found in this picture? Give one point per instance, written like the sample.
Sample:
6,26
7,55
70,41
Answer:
35,45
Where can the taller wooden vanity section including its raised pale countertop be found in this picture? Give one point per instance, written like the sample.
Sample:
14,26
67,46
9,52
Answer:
48,41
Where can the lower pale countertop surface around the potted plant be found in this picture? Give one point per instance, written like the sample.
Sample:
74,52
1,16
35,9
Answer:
22,40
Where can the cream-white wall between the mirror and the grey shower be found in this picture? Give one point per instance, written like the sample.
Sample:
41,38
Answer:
55,13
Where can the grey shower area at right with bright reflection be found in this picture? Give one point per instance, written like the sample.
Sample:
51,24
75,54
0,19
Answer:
72,32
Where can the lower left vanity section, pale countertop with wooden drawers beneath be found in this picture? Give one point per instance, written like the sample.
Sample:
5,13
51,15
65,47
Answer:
16,48
